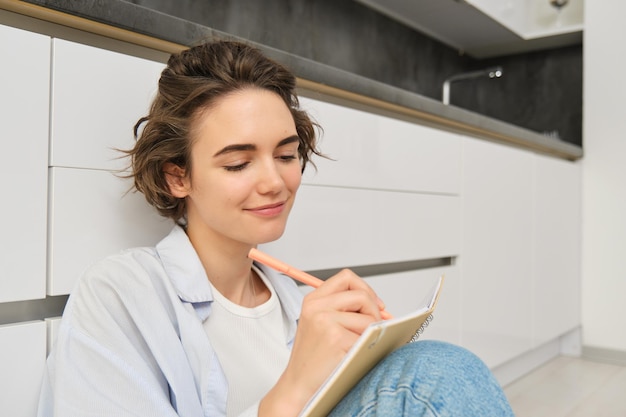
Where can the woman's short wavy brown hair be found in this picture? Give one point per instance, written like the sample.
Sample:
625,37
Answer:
193,80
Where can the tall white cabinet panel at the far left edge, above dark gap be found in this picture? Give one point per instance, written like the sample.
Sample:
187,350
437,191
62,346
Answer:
24,89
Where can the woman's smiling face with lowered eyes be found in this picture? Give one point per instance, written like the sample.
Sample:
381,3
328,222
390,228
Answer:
245,169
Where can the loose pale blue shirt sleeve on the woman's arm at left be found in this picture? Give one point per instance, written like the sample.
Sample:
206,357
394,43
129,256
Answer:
116,353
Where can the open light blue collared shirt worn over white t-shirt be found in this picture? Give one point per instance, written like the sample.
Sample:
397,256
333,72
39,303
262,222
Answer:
131,341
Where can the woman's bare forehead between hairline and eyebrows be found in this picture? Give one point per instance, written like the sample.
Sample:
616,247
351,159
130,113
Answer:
245,116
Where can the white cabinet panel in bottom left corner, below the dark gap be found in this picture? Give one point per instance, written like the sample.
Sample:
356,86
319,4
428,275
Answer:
22,361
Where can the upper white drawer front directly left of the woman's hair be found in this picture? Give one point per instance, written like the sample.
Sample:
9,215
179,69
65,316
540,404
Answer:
97,98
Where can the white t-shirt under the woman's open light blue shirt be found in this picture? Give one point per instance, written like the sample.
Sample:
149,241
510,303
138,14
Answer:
251,346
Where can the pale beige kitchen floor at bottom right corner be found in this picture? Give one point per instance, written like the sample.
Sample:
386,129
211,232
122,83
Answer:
570,387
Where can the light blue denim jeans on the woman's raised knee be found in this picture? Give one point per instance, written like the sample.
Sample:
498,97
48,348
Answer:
427,378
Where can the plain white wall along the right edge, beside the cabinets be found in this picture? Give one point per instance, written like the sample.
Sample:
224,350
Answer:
604,176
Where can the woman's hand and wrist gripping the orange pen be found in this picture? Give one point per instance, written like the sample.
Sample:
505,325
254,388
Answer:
332,319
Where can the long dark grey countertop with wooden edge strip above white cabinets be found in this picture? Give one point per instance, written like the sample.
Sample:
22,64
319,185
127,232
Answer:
315,78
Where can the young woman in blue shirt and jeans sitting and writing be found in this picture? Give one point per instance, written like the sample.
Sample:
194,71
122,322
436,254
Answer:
192,327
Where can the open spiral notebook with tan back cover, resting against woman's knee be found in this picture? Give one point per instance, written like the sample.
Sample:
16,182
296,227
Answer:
376,342
